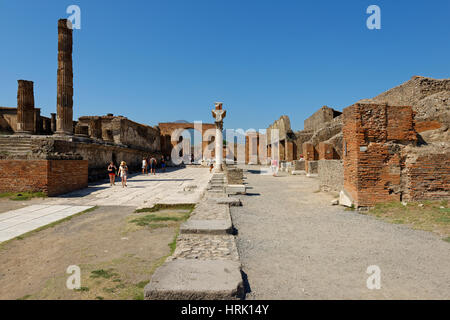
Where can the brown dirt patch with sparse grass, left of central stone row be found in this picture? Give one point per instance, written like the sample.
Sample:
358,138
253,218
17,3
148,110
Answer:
116,256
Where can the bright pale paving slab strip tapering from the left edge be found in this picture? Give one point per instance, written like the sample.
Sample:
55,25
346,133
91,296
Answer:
17,222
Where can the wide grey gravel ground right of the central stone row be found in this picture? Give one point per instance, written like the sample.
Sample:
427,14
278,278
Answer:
294,245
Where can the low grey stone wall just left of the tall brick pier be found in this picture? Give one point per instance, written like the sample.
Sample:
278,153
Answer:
331,175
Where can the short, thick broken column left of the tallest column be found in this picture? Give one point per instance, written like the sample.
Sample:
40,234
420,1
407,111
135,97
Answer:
25,107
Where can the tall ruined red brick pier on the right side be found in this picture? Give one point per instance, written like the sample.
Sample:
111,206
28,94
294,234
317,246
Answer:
372,153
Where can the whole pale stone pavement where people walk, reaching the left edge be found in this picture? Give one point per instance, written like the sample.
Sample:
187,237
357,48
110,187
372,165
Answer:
173,186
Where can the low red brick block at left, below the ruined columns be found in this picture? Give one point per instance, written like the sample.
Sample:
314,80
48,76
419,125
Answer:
53,177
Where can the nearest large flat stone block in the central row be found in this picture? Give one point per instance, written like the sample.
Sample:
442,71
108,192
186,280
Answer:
190,279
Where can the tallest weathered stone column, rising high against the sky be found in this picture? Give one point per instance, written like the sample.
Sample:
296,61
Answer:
64,105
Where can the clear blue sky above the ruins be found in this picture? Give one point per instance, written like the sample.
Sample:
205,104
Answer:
158,61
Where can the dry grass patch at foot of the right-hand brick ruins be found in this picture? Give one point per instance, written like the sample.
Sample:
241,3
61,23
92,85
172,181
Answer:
427,215
